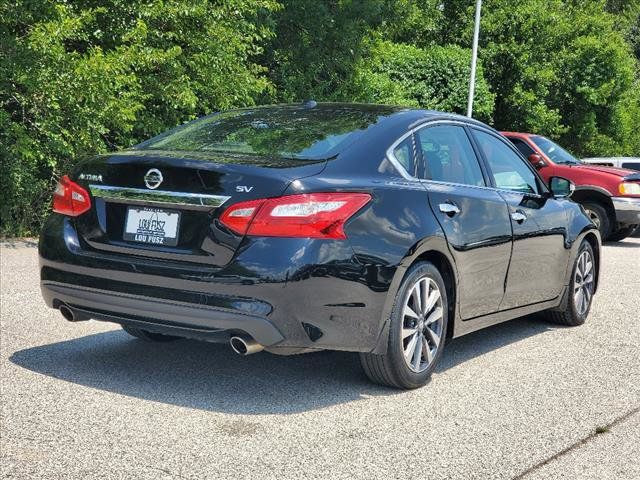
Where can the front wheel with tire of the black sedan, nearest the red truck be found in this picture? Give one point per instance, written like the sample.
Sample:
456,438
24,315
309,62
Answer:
581,290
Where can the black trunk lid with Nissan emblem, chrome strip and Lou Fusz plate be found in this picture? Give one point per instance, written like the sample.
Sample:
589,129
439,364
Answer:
165,205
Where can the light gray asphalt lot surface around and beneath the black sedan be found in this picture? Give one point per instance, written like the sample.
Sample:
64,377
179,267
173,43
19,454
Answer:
525,399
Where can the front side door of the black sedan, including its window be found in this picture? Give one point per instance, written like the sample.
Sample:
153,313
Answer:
539,224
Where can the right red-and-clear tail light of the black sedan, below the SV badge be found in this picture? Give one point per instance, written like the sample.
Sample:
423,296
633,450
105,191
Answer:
312,215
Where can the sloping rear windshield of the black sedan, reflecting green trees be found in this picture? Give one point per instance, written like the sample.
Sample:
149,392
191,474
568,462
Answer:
280,131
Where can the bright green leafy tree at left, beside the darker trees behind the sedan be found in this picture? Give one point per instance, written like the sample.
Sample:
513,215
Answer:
89,76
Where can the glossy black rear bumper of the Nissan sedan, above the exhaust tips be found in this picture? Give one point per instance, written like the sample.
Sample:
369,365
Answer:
287,294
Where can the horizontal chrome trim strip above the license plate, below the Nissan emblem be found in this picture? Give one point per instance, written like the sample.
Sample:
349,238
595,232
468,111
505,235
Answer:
158,197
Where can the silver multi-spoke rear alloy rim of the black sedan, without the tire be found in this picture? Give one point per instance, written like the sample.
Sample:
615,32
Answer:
422,324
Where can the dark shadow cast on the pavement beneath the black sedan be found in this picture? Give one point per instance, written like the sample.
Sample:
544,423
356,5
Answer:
210,377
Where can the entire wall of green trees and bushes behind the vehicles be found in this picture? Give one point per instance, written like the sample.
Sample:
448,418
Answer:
90,76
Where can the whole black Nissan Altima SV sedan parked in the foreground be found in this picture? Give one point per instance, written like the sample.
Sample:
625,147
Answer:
298,228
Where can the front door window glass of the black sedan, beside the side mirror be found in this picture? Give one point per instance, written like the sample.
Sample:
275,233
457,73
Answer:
509,171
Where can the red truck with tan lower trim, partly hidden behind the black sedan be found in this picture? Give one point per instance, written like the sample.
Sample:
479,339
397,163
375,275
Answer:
610,196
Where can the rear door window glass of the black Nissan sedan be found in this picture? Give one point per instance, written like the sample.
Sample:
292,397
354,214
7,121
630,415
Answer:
448,155
